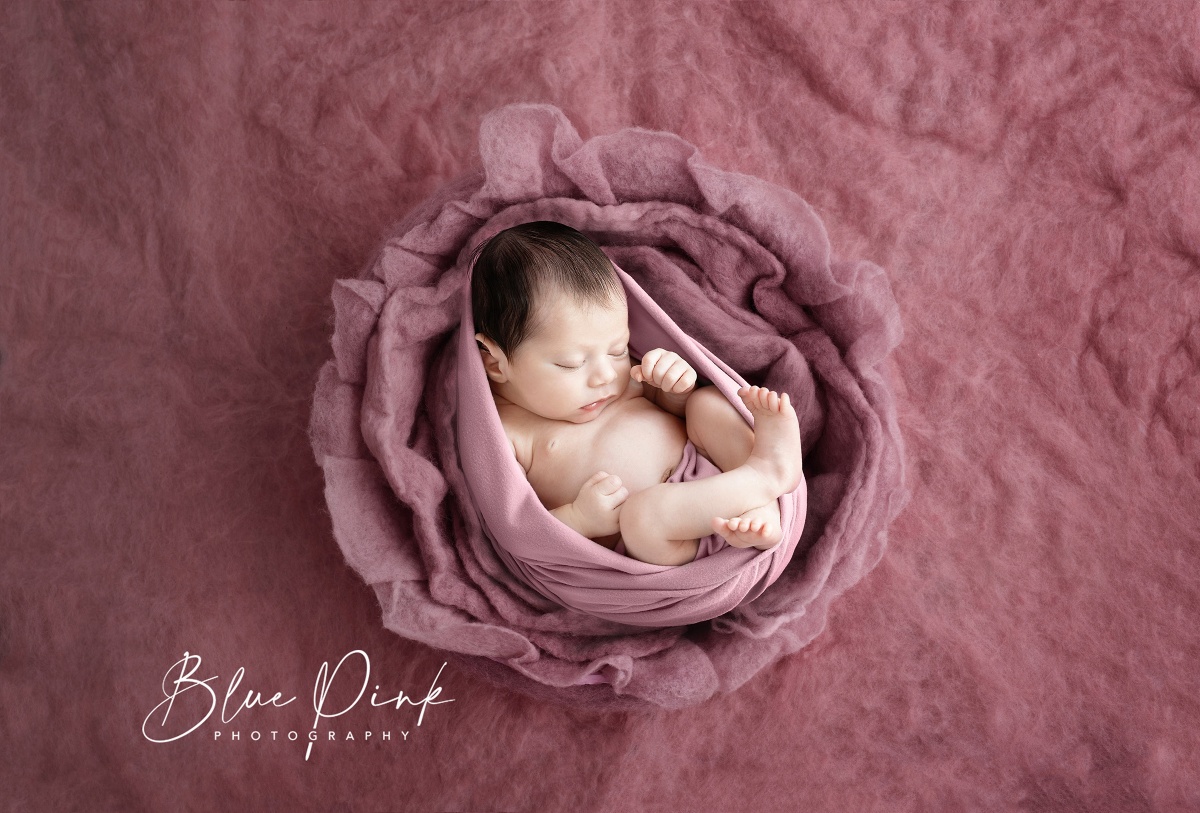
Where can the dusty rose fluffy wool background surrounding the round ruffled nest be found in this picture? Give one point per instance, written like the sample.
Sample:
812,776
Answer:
182,186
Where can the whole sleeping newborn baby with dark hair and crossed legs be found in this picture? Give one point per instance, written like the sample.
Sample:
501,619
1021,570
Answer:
598,435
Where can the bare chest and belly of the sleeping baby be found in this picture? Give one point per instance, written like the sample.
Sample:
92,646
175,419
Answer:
633,439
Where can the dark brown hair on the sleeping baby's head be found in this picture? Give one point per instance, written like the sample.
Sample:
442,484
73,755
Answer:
518,266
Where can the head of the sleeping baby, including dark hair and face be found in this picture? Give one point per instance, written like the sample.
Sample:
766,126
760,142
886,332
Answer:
551,321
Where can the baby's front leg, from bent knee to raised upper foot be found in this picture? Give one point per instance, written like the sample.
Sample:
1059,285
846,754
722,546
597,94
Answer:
662,525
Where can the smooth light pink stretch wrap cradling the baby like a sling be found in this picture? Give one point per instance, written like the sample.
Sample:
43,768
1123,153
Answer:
574,571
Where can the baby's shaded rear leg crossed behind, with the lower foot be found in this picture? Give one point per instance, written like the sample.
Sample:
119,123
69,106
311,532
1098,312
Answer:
718,431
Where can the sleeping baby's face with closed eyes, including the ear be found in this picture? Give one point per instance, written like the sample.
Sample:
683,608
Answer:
575,365
